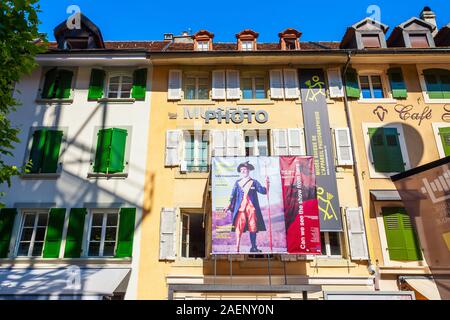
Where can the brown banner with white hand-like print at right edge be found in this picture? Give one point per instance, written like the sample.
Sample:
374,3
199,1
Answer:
425,193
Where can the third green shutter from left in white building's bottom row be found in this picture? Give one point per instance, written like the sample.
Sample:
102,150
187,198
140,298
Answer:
74,239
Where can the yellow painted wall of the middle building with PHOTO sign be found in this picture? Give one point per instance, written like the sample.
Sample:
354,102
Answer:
165,187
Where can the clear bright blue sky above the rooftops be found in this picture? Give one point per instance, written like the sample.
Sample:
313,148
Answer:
150,19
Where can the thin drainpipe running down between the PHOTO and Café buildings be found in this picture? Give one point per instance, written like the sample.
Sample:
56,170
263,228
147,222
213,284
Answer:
373,270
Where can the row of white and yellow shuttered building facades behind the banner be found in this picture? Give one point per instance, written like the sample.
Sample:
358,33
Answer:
121,137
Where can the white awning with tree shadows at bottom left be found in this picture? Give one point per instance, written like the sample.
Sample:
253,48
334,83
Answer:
87,282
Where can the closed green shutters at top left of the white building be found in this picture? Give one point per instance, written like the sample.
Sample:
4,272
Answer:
57,84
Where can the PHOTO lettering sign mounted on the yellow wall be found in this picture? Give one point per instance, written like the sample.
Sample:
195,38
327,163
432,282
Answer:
226,115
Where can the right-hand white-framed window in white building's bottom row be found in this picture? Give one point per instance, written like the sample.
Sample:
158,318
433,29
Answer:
103,233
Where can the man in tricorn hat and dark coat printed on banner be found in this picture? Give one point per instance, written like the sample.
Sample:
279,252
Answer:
244,205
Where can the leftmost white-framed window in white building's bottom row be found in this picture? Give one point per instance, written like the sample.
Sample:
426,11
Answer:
33,229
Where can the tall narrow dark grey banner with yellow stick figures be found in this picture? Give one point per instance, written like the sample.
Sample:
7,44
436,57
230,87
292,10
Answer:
319,145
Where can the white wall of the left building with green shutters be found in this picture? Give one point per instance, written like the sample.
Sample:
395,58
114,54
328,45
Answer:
82,118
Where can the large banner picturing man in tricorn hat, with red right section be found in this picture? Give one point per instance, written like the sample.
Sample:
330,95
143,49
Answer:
263,205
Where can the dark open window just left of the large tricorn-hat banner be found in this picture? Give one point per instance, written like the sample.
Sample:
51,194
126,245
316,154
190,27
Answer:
192,236
